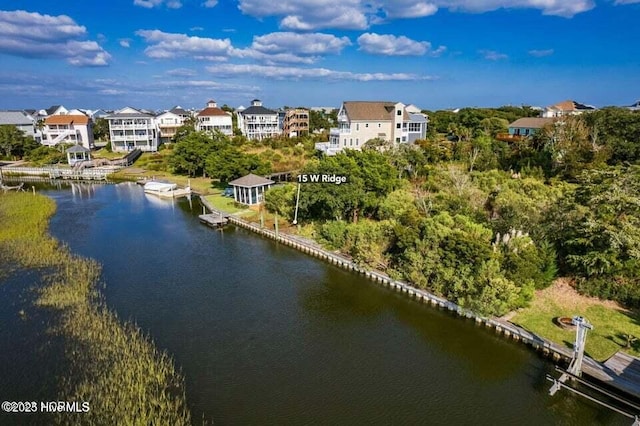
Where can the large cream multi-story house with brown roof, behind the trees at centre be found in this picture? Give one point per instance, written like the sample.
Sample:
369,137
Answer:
361,121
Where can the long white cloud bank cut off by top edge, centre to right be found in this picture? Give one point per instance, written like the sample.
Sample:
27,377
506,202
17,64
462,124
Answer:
309,15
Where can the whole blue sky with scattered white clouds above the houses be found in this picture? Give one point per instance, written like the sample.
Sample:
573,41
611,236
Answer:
433,53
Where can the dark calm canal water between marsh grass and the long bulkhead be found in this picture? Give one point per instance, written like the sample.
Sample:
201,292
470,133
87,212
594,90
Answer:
268,336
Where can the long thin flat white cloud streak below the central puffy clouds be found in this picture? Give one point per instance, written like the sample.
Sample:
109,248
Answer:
293,73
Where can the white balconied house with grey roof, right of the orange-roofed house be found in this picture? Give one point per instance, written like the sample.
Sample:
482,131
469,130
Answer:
131,129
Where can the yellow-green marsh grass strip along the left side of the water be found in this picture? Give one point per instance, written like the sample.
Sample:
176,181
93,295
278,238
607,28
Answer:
113,366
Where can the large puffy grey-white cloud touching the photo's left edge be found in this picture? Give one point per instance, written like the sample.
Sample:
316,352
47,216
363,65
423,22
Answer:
33,35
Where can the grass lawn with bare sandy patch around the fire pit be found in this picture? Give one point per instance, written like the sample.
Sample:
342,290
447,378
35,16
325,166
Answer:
611,324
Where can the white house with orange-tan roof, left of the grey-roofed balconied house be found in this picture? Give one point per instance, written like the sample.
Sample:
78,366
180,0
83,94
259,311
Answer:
76,129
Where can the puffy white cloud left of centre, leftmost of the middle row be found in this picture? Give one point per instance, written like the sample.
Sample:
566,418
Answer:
169,46
